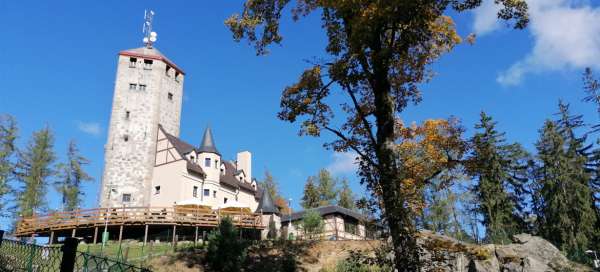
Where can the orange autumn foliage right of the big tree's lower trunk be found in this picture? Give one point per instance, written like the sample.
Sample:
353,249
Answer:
424,151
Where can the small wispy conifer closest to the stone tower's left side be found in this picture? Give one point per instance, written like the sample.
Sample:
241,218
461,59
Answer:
71,175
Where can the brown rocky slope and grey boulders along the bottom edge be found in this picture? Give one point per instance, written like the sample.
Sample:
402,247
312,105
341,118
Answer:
526,254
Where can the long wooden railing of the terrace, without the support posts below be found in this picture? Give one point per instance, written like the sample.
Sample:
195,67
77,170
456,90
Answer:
134,216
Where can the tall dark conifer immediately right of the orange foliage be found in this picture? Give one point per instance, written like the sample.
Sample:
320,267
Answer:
499,191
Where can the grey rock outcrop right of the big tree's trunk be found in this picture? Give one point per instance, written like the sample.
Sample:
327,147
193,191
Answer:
526,254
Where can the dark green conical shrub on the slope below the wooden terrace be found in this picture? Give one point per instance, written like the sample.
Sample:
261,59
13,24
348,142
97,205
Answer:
225,252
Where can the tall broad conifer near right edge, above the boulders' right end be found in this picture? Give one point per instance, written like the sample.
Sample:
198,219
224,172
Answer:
564,205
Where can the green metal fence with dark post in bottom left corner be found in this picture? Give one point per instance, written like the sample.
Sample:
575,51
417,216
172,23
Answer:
22,256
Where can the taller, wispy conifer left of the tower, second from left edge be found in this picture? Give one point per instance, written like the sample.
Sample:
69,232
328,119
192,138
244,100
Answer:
34,170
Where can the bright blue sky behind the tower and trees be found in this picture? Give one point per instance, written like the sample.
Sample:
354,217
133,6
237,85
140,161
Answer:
58,65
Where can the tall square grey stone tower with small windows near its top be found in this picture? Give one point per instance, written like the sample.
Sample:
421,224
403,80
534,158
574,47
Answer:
148,93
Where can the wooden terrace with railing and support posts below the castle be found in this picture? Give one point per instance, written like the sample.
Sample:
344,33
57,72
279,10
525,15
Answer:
98,219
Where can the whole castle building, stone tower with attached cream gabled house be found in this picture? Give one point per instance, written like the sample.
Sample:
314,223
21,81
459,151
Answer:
146,163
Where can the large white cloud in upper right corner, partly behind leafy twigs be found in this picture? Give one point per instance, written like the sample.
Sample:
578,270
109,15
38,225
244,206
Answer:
565,33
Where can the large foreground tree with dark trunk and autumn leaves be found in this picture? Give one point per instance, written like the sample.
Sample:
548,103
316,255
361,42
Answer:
377,54
